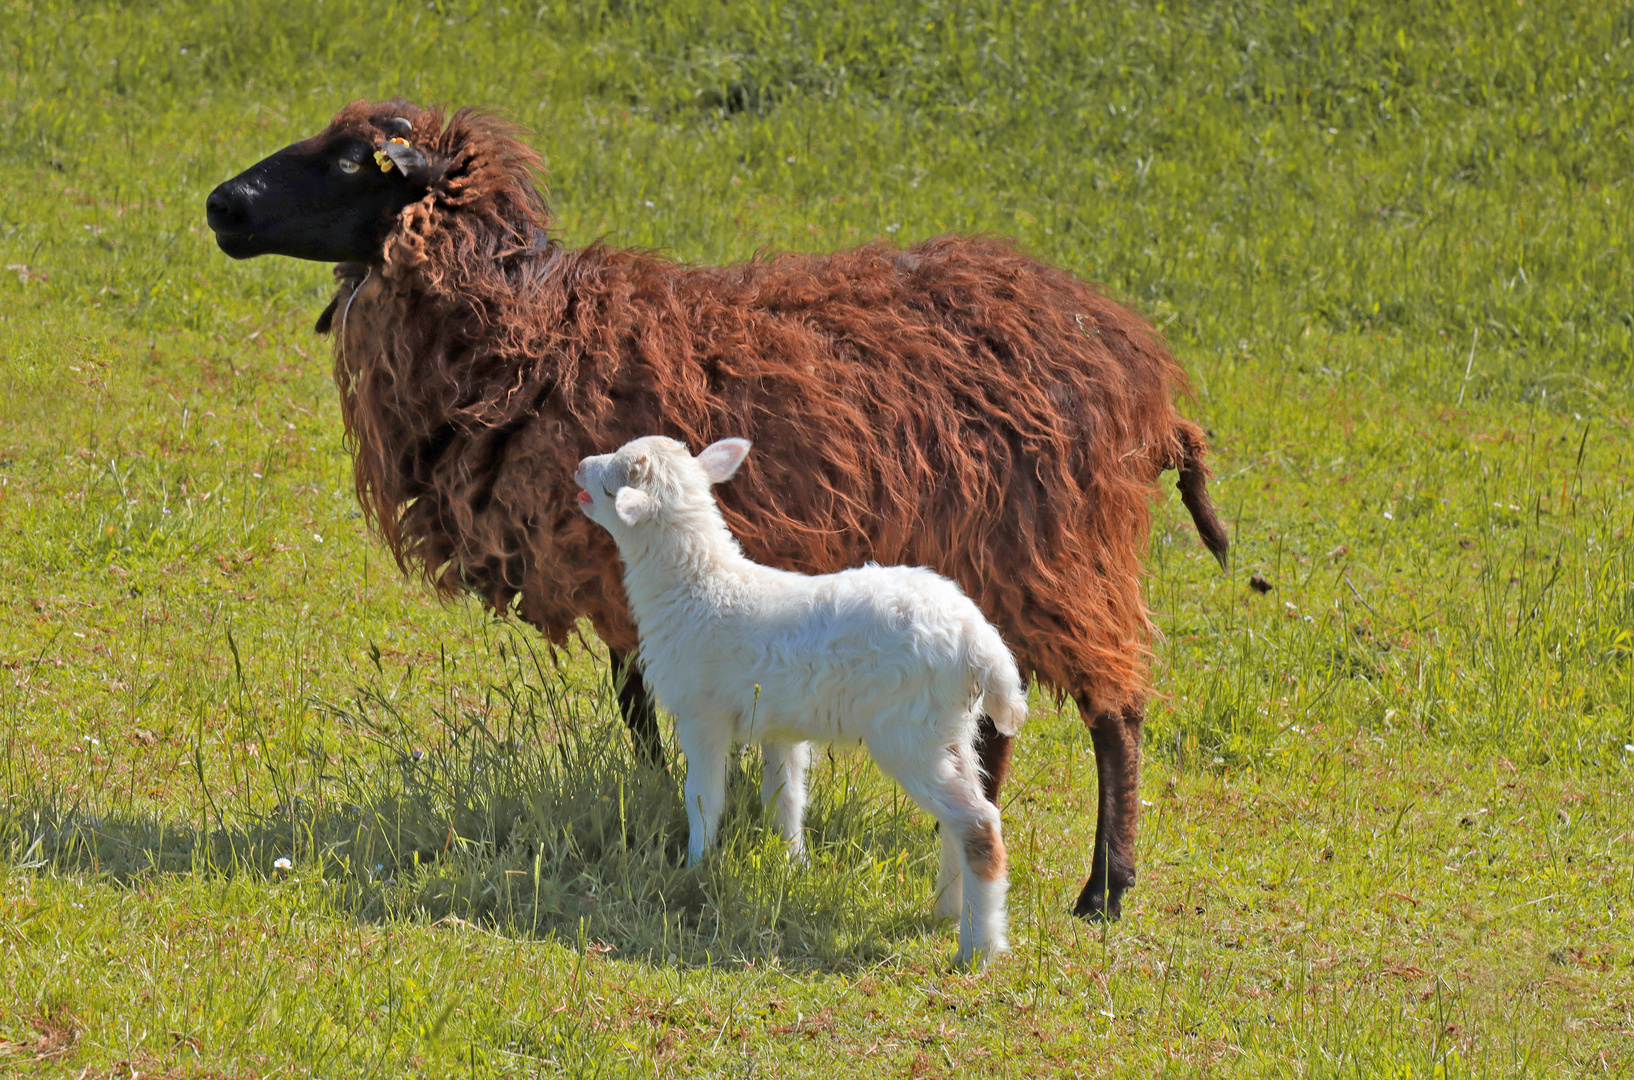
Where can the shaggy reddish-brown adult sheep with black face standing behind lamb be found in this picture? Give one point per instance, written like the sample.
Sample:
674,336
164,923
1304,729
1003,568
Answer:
957,404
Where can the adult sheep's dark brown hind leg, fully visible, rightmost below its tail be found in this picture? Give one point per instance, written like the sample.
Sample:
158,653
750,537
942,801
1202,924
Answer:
1117,738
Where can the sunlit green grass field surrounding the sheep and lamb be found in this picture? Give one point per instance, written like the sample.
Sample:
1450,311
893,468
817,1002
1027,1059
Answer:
1386,829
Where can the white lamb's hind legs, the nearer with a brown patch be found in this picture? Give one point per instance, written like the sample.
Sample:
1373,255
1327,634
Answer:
945,783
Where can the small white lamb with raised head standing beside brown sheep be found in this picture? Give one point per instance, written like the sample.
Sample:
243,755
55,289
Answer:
893,658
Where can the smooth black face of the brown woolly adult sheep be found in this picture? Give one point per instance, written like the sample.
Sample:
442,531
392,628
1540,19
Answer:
324,199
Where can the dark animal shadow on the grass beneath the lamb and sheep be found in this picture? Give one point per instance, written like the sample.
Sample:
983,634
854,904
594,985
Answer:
530,816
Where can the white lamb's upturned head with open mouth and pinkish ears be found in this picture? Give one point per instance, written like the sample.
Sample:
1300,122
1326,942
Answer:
654,481
